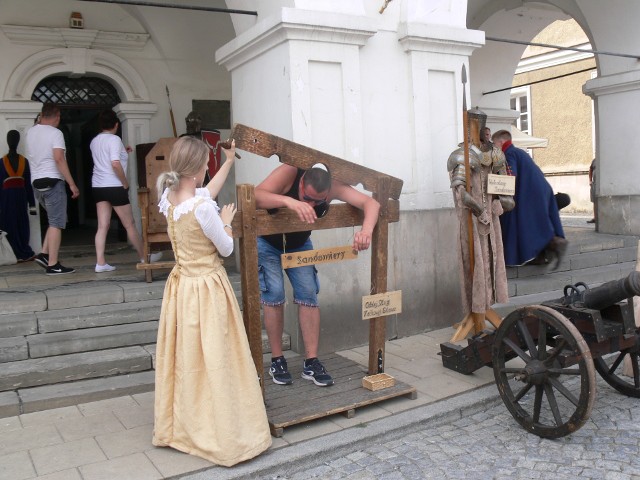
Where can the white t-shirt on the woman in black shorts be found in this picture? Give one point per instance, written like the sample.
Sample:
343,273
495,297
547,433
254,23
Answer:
105,148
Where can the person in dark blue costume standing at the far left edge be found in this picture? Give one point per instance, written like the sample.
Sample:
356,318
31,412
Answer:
16,199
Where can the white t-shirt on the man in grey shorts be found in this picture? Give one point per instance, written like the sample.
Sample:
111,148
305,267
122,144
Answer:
41,140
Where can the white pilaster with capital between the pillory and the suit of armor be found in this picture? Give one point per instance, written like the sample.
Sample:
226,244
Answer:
436,56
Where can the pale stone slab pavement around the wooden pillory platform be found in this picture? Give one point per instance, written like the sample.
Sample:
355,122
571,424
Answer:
111,439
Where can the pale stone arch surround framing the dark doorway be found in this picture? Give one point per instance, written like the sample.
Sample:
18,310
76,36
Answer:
135,110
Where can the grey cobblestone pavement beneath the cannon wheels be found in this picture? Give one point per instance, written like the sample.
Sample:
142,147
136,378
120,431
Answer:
490,444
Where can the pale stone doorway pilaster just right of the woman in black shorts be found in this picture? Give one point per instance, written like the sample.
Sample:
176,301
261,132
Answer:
135,118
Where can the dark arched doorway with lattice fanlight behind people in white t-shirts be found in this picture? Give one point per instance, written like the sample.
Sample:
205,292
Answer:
81,99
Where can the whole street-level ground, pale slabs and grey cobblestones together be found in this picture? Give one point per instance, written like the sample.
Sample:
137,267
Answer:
398,438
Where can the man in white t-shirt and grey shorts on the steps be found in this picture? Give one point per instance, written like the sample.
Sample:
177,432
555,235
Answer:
49,171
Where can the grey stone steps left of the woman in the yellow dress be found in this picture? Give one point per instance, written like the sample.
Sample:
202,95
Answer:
81,342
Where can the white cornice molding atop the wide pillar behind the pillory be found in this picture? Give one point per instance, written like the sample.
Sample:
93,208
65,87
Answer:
295,24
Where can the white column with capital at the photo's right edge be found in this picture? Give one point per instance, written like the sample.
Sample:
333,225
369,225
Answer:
617,144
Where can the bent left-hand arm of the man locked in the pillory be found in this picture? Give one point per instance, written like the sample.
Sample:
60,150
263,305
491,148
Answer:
270,193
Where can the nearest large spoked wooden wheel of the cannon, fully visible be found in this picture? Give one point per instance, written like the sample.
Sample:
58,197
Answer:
550,385
